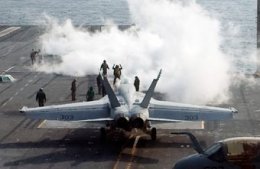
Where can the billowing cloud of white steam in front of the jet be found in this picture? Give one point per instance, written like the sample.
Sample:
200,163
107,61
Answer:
182,39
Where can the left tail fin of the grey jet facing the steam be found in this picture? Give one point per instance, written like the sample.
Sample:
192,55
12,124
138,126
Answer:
111,95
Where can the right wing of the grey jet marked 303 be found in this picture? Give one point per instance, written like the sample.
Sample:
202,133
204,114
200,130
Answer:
175,112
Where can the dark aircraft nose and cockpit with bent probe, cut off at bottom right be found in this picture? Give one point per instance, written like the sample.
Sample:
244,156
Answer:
231,153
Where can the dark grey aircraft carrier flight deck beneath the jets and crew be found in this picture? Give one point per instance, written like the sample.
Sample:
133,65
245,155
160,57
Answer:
26,143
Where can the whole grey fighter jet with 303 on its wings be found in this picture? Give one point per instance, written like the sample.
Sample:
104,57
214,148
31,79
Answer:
127,109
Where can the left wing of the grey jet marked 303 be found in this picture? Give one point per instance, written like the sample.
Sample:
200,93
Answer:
94,111
